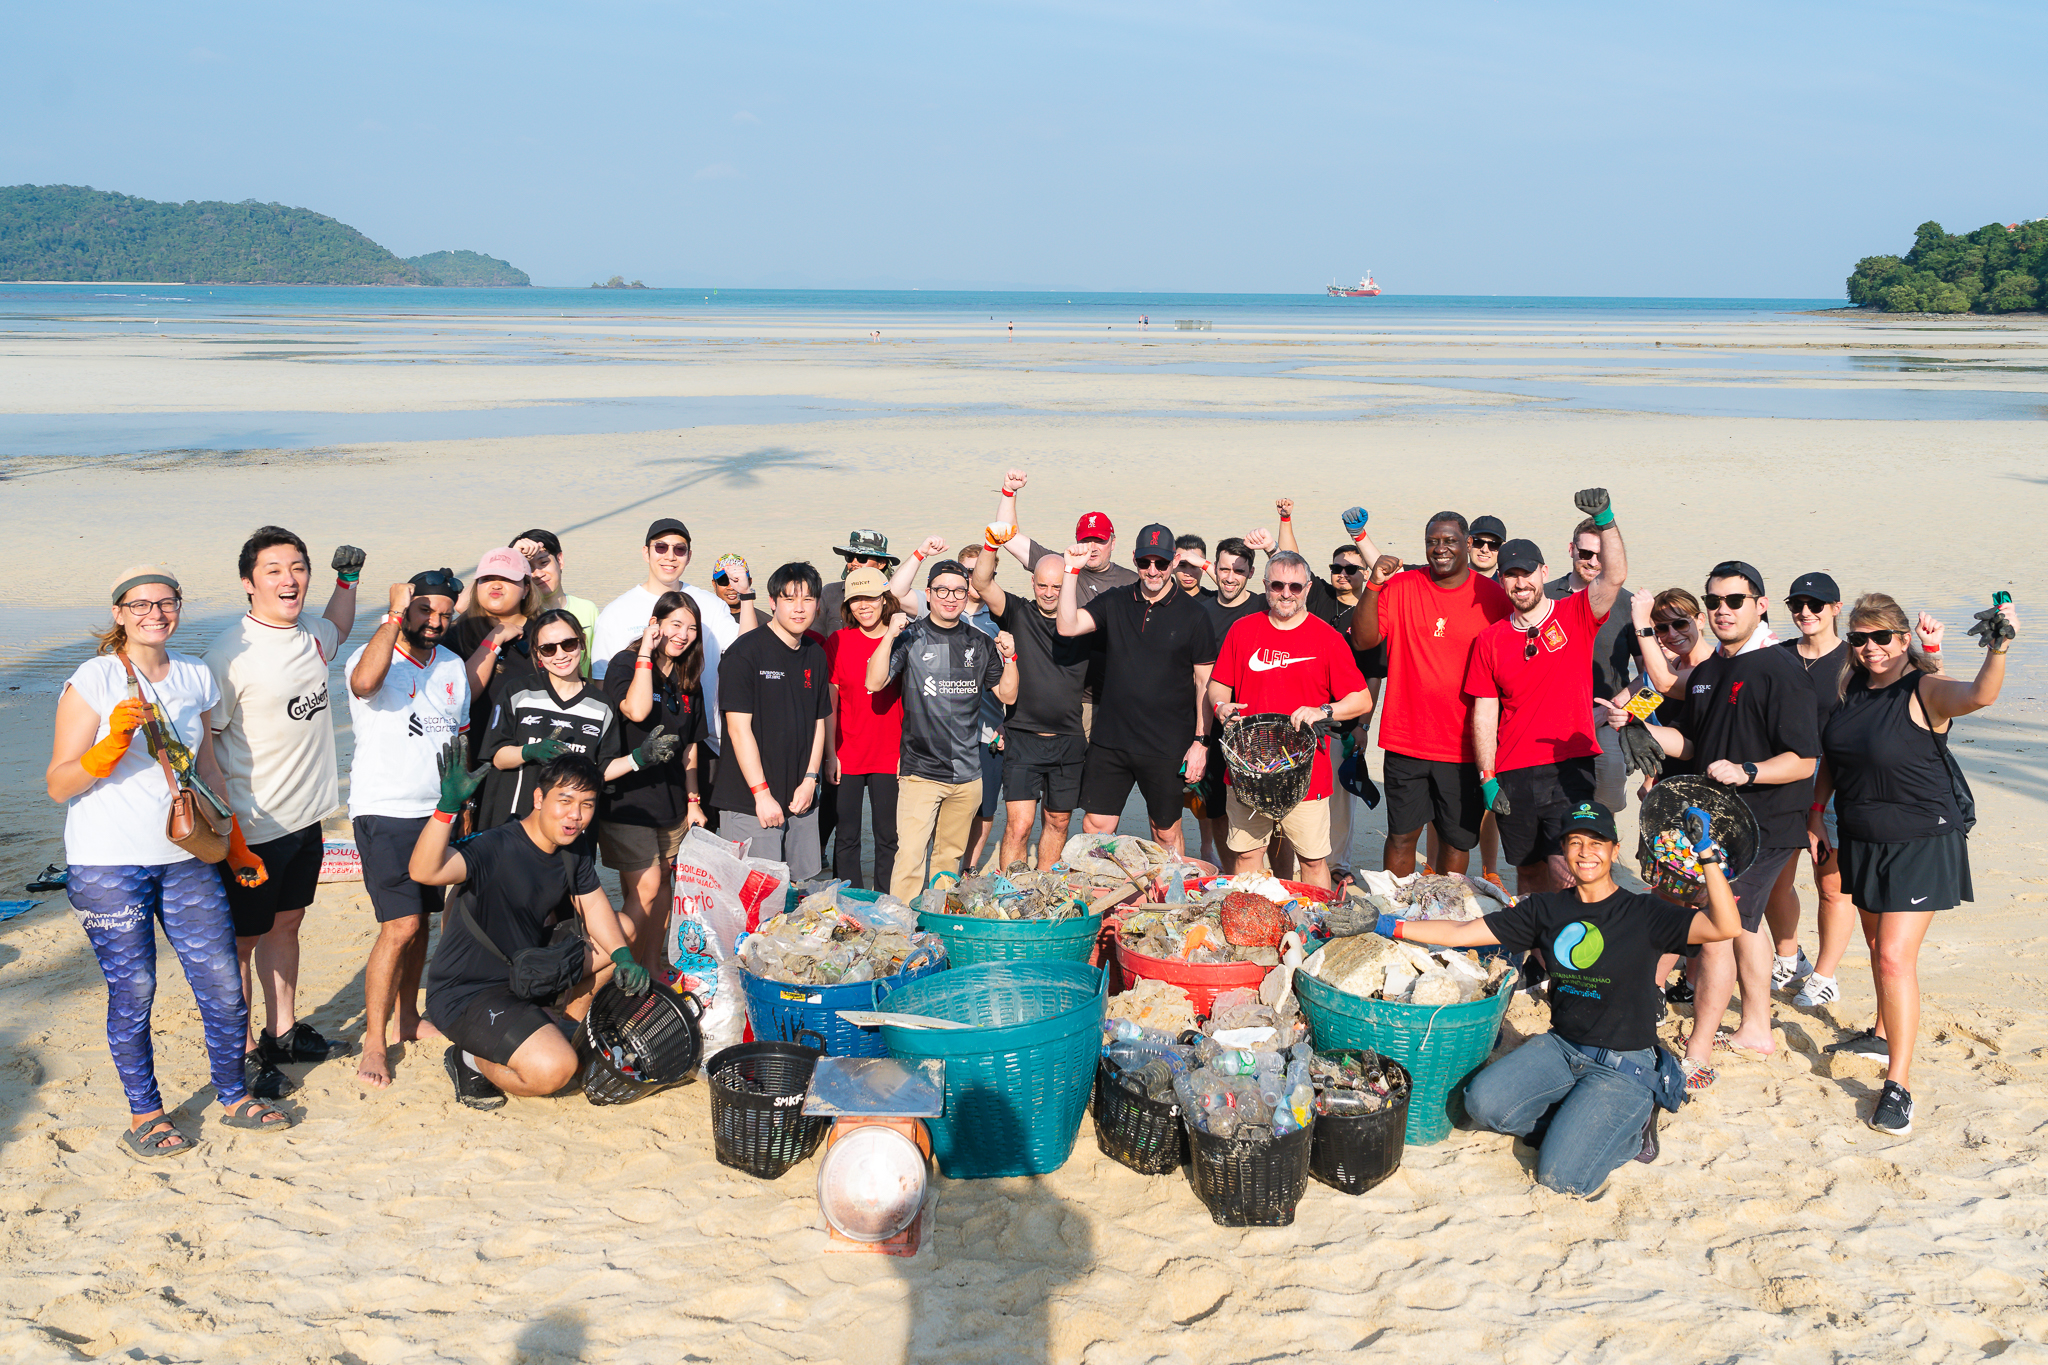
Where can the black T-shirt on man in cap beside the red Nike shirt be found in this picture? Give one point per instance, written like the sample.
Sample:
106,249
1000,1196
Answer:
1150,658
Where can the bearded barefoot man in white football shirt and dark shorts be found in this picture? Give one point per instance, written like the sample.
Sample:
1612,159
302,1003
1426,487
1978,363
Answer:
407,699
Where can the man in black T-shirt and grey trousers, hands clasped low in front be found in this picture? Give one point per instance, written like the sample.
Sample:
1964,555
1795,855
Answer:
775,697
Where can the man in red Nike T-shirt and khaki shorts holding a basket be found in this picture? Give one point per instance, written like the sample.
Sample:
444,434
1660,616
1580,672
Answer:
1287,662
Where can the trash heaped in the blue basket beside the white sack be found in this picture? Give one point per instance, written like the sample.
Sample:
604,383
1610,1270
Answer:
830,940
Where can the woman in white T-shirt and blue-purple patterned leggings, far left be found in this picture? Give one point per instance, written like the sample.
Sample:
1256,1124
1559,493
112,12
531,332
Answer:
128,877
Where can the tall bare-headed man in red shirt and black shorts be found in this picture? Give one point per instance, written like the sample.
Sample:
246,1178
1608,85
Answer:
1428,619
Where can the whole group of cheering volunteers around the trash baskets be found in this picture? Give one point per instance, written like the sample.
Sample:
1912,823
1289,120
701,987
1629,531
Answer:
509,738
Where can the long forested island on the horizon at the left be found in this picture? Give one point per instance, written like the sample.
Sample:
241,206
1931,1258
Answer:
65,232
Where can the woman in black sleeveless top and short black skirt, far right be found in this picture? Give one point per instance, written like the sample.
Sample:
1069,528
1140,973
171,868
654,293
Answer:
1904,834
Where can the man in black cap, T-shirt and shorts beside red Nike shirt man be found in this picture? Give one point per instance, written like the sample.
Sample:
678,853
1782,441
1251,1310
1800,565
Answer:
1152,715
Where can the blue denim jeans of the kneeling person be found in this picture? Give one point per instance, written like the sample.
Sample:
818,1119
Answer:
1590,1116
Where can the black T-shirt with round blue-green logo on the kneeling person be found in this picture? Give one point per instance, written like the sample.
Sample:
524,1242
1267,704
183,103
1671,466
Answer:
1603,961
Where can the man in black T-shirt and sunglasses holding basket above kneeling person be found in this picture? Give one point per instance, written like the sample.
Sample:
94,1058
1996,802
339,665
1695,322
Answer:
1748,721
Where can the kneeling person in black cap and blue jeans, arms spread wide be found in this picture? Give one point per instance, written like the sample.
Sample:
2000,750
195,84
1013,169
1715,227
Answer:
1588,1092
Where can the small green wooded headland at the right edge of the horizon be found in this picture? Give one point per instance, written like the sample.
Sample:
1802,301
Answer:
1998,269
